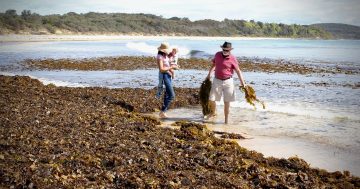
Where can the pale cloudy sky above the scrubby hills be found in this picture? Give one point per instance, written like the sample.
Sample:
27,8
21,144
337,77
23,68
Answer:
277,11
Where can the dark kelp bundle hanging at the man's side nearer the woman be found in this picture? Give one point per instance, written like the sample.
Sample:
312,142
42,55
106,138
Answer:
208,108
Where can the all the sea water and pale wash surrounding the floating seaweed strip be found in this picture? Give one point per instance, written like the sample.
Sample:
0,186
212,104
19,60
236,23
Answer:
320,123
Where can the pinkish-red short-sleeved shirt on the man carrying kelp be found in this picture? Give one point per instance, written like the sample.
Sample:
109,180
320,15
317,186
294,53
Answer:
224,66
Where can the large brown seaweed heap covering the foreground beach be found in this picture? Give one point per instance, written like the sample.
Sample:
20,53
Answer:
58,137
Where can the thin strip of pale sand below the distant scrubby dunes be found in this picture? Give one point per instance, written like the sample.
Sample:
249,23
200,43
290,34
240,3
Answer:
44,38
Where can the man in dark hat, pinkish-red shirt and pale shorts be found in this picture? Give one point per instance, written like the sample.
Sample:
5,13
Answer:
224,64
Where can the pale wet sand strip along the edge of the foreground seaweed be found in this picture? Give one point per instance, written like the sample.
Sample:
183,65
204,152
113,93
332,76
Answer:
276,146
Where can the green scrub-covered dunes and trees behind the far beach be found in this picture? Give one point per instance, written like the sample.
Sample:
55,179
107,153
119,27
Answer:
147,24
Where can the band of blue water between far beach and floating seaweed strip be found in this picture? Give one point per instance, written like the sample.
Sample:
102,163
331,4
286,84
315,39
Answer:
339,52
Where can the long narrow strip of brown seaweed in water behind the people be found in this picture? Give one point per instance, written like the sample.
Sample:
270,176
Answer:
144,62
